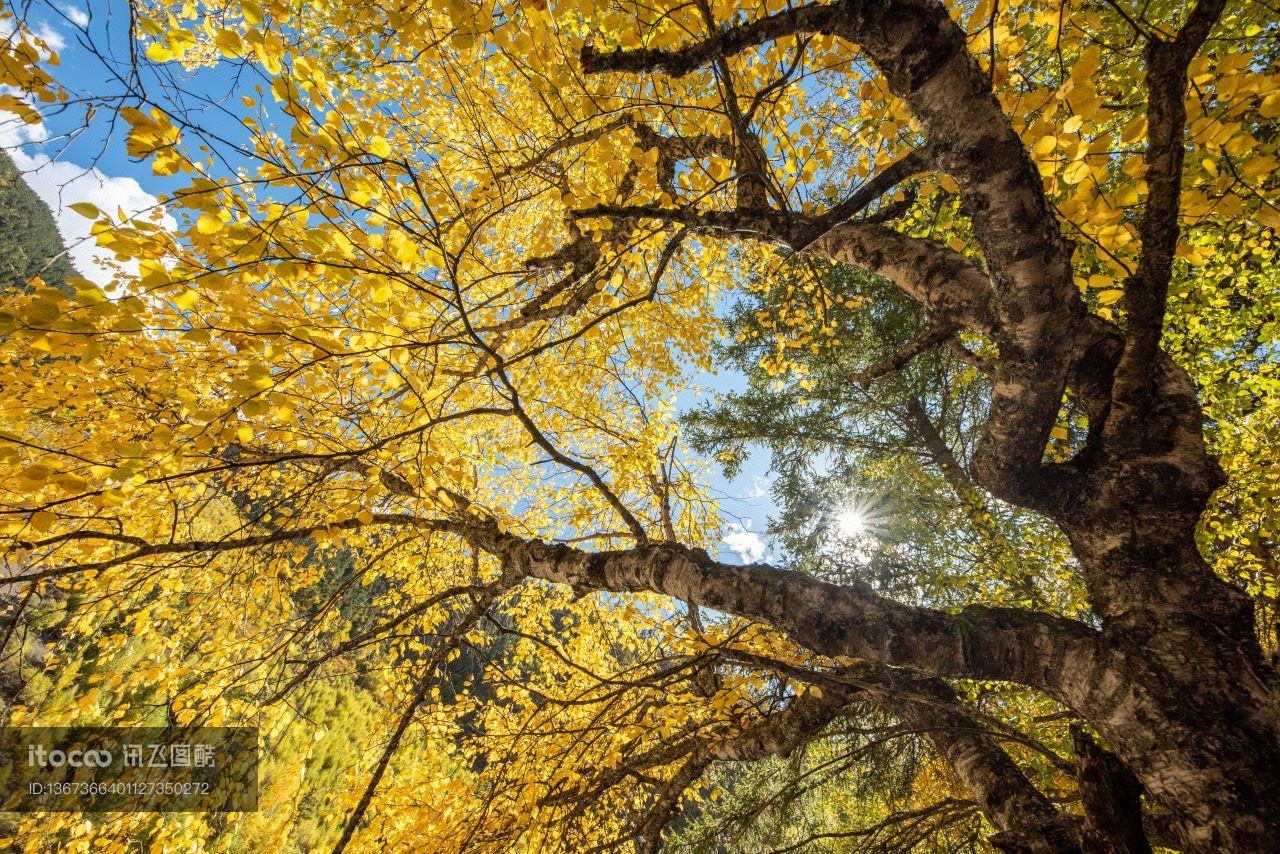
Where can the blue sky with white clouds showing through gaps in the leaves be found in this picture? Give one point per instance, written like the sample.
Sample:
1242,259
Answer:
70,161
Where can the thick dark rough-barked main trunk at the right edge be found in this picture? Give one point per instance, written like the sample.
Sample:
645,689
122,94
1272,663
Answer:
1181,686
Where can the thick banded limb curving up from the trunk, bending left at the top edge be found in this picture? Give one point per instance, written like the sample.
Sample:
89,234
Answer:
925,60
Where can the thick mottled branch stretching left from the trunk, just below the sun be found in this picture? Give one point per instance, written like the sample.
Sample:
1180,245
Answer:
977,643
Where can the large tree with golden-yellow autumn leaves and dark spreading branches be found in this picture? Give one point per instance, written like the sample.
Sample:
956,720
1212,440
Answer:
435,290
